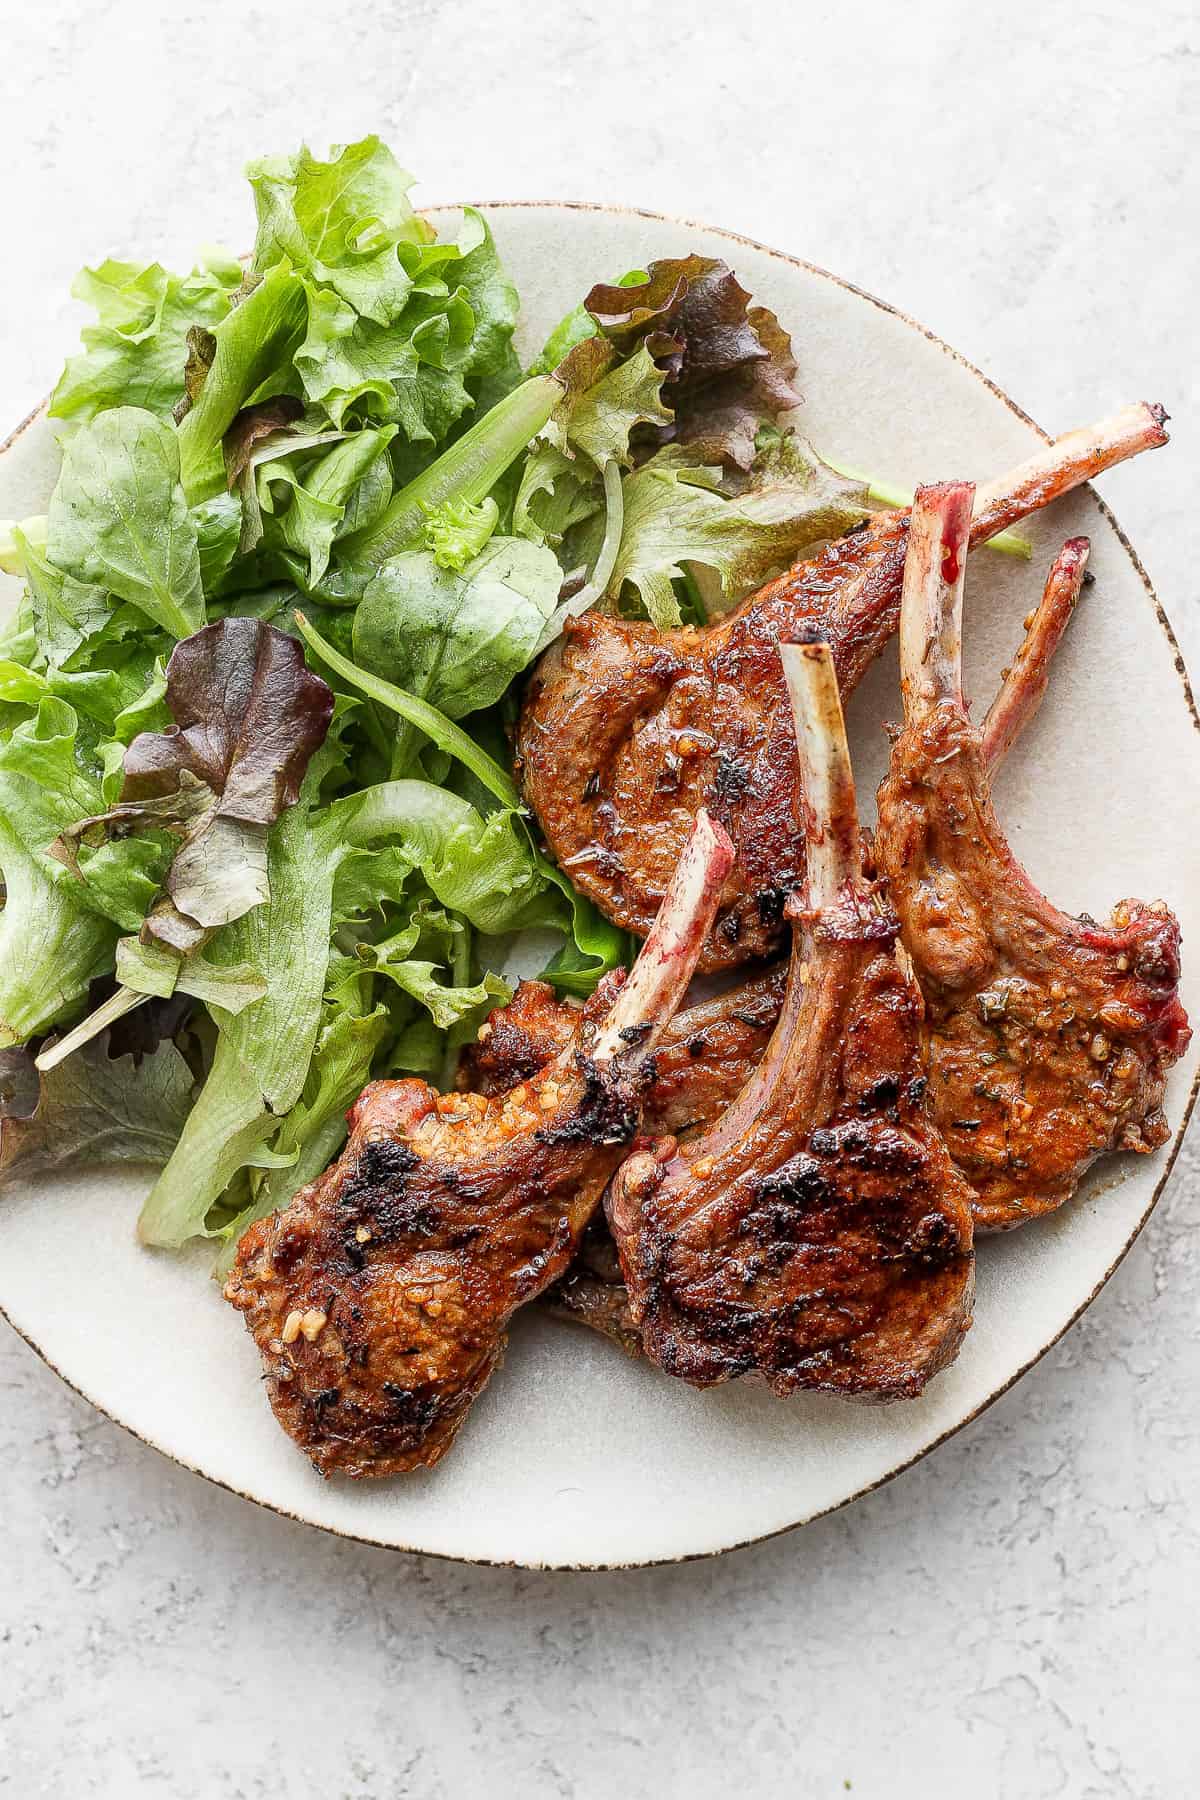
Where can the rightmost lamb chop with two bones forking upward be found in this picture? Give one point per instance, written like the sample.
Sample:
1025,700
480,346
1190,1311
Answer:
1050,1036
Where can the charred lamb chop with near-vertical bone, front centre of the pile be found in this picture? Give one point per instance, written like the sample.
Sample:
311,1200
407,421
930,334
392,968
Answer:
818,1234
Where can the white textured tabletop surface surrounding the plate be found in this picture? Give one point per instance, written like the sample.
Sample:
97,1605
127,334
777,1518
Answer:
1016,1617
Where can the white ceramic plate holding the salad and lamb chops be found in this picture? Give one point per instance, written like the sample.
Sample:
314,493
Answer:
577,1457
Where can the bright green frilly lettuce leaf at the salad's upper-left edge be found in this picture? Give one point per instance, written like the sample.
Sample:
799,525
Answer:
138,350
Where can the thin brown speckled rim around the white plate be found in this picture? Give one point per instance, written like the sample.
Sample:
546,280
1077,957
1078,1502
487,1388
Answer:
1169,1165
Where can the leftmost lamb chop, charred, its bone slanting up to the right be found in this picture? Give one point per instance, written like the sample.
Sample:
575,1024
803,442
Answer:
382,1295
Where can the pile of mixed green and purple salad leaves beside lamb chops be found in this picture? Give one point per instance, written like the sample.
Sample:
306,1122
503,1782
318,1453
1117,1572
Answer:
258,825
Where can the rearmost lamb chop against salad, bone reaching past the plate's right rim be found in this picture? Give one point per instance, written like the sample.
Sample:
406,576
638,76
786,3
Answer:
629,730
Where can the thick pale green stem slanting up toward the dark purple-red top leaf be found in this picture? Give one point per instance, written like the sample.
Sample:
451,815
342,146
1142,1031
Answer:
469,471
